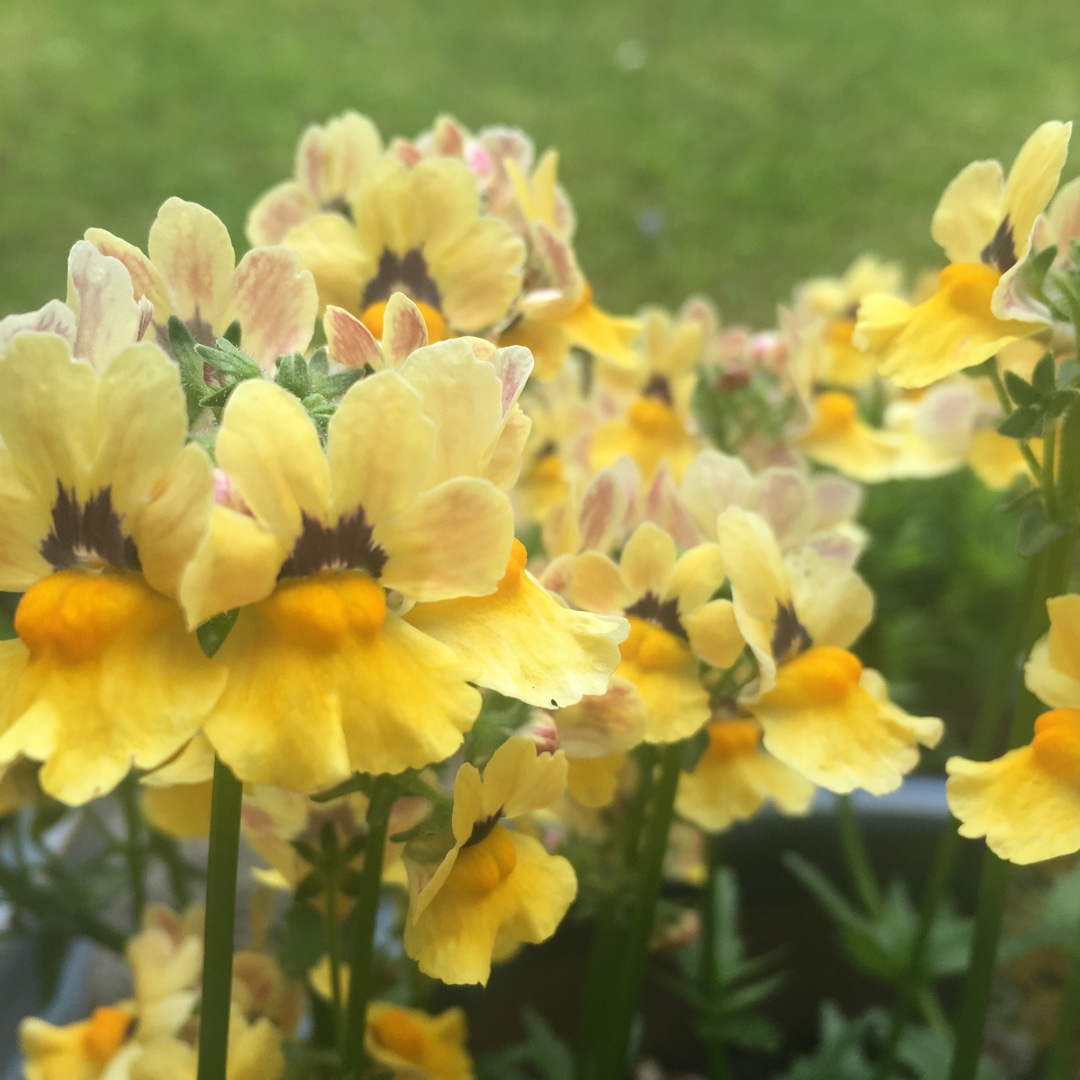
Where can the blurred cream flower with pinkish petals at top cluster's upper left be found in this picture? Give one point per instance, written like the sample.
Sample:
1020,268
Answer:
330,163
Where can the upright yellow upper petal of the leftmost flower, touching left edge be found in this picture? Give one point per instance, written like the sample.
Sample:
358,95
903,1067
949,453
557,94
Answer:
49,415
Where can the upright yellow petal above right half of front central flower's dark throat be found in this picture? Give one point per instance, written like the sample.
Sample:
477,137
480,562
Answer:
380,413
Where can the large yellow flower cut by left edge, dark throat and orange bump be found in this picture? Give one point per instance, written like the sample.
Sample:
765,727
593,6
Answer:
102,506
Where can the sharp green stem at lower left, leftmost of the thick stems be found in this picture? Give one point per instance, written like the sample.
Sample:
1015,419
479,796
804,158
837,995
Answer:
221,923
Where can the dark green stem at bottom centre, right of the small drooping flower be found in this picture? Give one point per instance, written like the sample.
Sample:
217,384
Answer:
624,1008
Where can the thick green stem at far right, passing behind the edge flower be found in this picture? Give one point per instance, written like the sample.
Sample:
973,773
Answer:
1055,563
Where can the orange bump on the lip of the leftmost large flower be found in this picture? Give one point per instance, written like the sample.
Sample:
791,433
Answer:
78,614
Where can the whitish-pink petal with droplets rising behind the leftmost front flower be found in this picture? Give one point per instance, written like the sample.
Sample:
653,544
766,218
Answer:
101,294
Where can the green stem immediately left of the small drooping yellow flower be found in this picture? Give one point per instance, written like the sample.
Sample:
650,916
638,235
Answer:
361,975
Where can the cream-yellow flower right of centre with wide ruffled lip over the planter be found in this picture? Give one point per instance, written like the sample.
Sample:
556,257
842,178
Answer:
820,711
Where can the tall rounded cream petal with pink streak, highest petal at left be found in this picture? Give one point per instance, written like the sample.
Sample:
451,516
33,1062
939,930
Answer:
192,249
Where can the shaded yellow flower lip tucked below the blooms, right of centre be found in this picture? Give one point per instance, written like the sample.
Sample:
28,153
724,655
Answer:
735,778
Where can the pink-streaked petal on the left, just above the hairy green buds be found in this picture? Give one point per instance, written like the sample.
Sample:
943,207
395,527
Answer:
276,301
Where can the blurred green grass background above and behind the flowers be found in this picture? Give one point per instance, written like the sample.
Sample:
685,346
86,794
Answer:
717,147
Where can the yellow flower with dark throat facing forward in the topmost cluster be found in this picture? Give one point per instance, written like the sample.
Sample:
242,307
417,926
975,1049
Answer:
421,233
